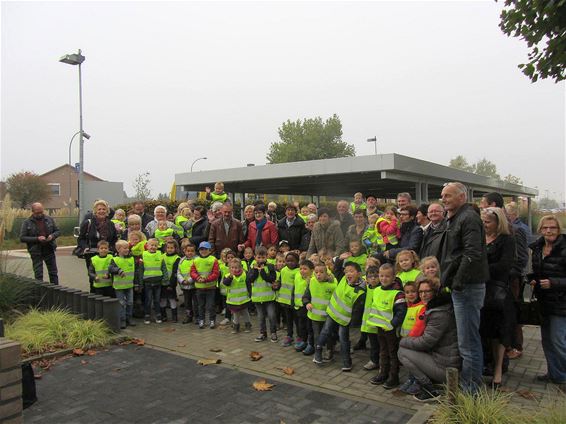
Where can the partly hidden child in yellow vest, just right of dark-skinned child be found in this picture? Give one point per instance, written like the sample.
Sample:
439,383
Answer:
304,342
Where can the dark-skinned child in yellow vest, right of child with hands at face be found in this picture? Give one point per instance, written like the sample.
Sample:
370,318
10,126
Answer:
285,295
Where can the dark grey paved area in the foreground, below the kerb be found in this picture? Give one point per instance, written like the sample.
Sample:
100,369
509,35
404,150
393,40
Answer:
142,385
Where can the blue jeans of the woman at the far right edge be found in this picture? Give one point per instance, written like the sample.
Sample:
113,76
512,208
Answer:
553,334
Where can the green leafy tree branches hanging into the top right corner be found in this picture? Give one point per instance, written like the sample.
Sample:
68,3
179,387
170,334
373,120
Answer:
542,24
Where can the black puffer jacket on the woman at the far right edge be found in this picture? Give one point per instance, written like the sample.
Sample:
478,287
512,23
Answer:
552,267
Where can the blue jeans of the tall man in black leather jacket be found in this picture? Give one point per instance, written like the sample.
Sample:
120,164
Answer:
467,306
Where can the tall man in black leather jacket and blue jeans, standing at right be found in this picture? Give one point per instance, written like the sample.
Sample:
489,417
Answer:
464,268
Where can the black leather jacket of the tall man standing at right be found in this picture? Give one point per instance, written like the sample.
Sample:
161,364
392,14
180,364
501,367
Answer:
464,258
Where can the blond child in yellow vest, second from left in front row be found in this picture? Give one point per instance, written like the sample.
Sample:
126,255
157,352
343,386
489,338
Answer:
125,270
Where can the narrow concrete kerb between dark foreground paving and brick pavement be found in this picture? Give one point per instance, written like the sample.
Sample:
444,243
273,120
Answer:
281,379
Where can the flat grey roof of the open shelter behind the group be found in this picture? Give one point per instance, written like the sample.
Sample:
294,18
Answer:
383,175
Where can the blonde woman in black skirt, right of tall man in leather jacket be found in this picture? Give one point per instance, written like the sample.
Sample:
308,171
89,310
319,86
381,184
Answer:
498,317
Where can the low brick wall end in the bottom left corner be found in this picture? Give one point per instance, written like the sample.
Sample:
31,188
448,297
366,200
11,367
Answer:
10,382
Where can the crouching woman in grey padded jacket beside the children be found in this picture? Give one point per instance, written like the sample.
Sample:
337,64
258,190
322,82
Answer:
427,355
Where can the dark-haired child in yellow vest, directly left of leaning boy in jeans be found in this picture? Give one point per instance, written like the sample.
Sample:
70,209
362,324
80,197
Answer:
316,299
